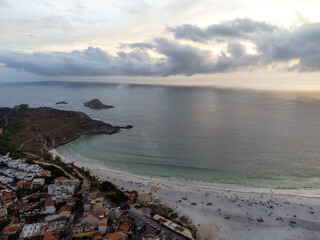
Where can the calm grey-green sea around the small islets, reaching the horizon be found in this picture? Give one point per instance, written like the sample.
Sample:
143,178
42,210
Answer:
263,139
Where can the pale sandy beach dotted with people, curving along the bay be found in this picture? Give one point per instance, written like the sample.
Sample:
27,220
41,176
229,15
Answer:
231,212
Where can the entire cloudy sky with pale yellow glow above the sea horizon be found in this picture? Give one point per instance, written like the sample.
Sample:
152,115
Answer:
249,43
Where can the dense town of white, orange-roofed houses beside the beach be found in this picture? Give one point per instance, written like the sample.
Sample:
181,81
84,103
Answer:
44,201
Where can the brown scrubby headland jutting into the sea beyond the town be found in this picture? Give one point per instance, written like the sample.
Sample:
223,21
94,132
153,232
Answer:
41,129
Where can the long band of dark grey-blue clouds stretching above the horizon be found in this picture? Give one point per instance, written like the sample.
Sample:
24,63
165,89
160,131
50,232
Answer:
273,45
